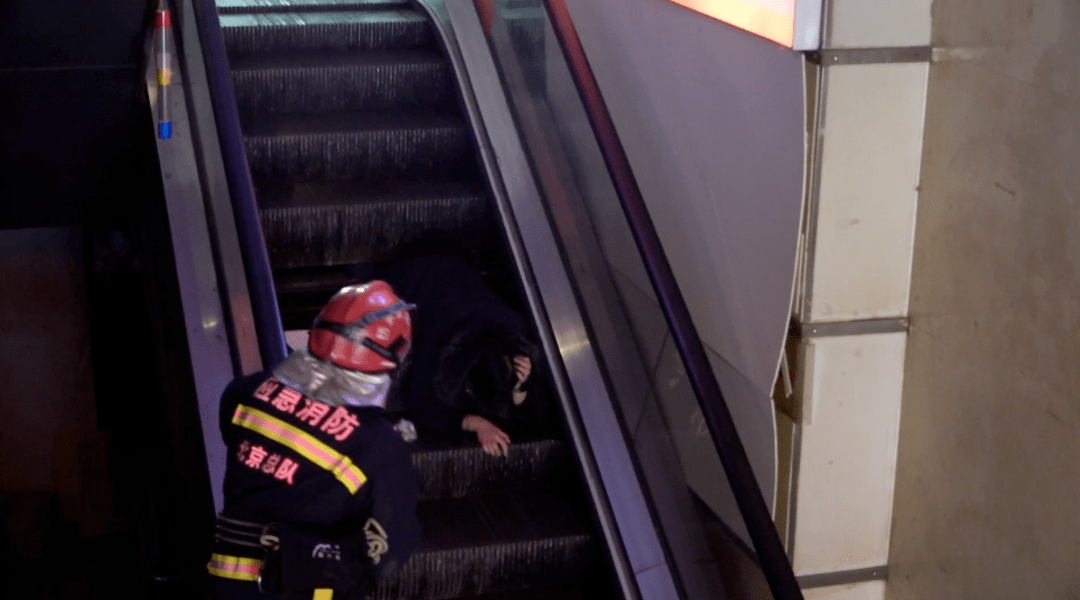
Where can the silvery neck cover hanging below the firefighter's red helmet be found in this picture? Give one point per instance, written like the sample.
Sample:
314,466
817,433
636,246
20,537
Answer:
328,384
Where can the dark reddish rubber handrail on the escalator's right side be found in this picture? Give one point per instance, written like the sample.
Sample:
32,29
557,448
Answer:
755,513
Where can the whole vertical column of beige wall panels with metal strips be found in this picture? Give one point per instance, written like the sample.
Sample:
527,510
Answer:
858,269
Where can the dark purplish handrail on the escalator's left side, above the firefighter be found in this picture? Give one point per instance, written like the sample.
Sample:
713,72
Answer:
238,174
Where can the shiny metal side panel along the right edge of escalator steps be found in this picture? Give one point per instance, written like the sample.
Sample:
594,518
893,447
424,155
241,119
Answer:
613,480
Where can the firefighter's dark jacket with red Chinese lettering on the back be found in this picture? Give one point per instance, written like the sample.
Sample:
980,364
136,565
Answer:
339,480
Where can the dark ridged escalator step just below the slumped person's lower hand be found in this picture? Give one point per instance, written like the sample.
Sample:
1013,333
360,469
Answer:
454,473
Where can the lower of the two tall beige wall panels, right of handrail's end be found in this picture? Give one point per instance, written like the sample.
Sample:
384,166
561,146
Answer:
844,499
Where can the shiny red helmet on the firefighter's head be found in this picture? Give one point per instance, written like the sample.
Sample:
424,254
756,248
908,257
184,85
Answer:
363,329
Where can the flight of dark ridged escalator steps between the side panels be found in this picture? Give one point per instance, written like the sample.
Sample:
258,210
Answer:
361,154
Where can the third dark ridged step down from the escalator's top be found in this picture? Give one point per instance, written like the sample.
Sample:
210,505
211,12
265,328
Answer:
358,146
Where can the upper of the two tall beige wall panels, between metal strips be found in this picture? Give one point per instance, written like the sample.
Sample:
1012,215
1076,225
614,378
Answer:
870,176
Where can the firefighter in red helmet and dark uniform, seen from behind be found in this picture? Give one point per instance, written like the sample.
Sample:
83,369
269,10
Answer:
320,493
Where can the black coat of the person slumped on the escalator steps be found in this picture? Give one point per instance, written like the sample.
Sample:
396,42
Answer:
465,337
